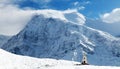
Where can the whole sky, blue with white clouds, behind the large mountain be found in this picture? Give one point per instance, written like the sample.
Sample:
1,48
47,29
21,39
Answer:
108,11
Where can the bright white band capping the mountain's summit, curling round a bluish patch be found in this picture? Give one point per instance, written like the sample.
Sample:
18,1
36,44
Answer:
67,15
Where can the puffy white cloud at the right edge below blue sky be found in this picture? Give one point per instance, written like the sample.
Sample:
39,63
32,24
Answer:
112,17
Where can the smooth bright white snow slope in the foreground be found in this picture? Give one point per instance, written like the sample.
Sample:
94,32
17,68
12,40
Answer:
11,61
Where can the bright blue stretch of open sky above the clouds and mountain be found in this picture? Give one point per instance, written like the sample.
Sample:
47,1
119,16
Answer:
86,7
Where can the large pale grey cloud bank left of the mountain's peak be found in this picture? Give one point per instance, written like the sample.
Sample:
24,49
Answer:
12,19
